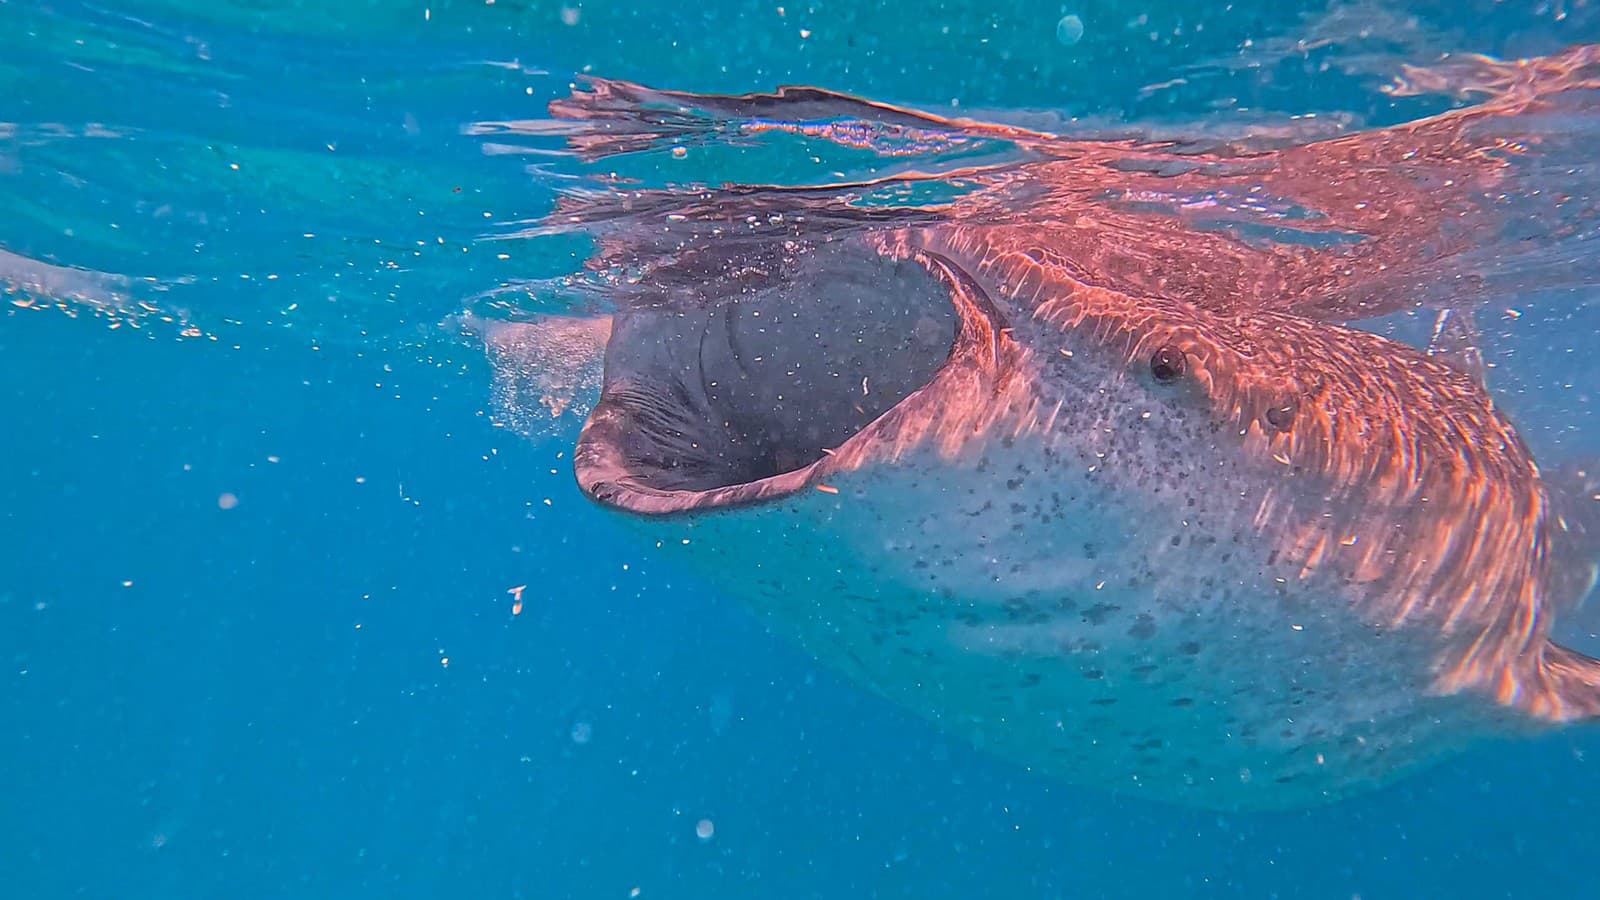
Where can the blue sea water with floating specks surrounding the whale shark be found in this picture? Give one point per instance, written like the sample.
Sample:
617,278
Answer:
322,689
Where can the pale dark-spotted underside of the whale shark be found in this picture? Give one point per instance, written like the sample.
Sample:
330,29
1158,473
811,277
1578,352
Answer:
1076,640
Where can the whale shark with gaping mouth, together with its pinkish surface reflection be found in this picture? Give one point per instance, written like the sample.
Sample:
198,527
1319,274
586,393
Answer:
1146,518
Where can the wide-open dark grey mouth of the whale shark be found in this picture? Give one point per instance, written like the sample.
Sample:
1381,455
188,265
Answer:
745,398
